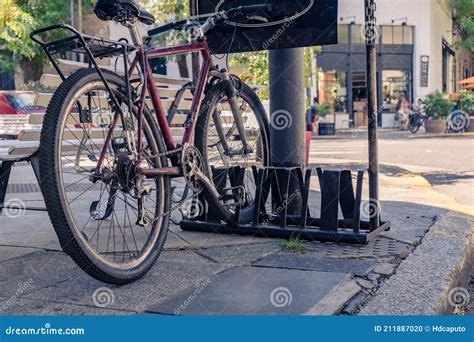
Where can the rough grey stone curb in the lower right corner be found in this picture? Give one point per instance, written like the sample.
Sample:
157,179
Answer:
423,282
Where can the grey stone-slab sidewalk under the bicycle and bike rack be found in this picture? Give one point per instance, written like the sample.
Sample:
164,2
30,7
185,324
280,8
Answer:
209,274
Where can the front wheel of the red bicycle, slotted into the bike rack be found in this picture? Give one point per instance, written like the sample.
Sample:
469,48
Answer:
211,146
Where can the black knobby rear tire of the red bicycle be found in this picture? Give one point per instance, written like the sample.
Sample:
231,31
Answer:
60,217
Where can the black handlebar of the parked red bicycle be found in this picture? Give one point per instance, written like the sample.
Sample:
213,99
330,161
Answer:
211,20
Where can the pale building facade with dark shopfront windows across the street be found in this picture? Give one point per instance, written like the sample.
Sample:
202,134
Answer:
416,55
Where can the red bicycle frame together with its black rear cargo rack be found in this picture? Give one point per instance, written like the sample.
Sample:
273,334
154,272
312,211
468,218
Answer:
79,43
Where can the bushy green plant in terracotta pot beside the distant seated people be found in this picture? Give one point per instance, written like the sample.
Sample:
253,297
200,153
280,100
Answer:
437,107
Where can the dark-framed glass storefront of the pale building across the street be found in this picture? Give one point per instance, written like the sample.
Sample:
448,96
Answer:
342,76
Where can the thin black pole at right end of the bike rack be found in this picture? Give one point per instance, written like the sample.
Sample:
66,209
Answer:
371,44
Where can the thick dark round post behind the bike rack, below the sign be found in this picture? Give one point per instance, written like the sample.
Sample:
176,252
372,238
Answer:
287,114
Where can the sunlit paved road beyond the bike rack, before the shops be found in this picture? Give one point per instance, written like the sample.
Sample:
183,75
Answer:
447,163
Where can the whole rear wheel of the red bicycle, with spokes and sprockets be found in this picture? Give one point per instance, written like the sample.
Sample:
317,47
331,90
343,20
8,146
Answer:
110,228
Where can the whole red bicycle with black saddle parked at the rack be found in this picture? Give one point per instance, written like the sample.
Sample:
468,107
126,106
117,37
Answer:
121,172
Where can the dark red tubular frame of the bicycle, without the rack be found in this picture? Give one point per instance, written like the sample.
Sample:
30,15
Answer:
142,58
